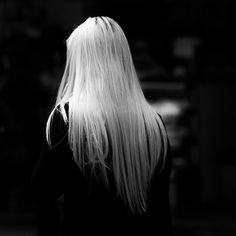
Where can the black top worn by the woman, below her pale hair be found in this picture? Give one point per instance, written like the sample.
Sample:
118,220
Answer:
90,207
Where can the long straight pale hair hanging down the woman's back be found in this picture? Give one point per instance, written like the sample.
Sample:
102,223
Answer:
107,108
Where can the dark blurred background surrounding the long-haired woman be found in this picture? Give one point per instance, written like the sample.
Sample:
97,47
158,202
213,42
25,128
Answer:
183,52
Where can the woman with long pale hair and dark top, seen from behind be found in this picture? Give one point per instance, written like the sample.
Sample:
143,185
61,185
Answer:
107,150
